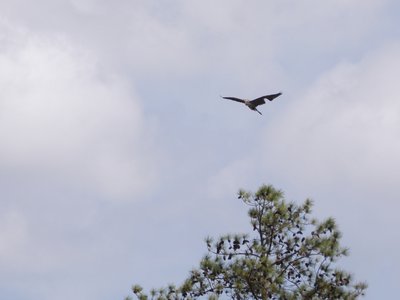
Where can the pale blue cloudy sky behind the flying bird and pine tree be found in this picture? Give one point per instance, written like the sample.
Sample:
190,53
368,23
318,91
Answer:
118,156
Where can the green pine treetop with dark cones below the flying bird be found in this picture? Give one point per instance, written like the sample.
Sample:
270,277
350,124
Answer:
289,255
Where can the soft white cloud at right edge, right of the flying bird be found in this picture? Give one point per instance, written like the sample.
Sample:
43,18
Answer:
346,126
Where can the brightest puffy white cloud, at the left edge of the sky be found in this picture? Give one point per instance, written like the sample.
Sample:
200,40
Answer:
61,118
